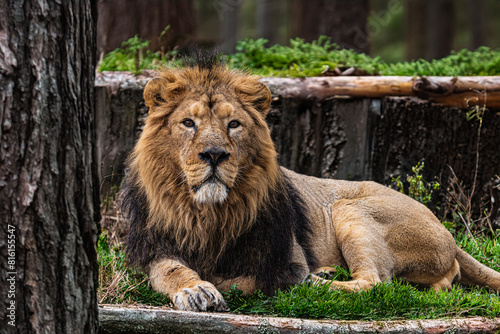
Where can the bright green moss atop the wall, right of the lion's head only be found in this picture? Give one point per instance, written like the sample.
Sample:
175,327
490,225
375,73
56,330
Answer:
321,56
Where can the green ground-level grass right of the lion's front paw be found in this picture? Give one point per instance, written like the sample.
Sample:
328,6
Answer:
385,301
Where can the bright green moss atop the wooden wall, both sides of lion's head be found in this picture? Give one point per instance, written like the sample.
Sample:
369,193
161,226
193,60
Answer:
300,58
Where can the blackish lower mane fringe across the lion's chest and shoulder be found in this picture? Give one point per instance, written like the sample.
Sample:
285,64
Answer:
263,252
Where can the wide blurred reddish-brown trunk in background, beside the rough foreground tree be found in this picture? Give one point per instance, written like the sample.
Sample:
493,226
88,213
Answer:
120,20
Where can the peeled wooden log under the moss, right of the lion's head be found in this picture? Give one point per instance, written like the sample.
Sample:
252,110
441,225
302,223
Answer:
461,92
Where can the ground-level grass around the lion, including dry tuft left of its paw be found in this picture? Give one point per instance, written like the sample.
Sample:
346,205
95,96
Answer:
120,284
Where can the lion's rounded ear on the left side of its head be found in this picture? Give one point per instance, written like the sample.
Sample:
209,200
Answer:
162,90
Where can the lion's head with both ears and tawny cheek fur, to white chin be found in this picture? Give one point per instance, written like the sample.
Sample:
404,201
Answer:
209,134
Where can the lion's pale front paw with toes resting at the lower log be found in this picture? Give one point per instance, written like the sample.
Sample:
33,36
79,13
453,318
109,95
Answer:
202,297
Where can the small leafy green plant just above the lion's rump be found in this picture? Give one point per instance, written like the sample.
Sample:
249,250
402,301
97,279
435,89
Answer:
418,188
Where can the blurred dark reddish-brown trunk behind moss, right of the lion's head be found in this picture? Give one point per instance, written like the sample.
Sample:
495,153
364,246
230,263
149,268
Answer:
344,21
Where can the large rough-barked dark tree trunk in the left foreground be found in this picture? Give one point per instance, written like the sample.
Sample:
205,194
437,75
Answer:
48,177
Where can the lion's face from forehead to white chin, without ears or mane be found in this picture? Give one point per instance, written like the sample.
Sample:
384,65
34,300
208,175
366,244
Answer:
212,136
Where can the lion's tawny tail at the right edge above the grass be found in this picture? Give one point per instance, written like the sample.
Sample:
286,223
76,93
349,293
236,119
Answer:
475,273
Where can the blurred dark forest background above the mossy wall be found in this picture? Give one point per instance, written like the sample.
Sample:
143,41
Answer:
395,30
